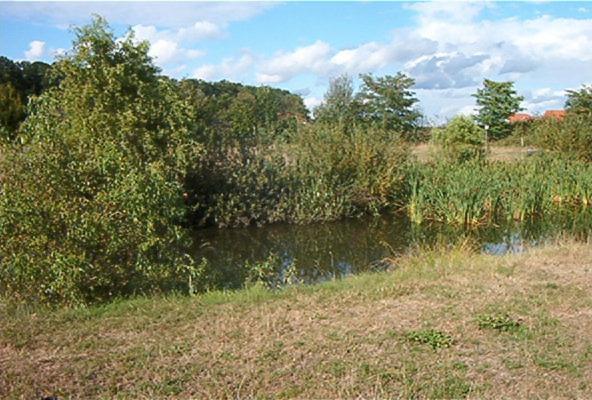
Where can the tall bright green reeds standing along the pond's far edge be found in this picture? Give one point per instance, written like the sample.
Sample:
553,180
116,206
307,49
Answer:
479,193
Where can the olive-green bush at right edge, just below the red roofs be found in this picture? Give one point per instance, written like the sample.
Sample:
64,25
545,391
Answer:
570,137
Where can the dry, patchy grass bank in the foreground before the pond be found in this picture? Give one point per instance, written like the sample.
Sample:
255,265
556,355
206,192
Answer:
441,325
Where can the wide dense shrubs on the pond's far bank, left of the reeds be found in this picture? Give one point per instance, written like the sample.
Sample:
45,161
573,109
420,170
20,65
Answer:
321,173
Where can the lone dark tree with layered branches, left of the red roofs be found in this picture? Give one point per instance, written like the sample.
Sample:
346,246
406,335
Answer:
498,101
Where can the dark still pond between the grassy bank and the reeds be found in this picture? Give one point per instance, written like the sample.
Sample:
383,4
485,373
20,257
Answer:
282,254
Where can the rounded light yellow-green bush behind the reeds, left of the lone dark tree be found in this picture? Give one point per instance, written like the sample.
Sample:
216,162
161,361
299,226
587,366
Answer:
461,140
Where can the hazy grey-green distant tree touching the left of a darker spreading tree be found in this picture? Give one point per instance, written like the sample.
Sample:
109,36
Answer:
338,104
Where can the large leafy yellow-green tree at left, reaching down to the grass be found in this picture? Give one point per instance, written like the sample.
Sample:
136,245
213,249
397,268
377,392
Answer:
91,202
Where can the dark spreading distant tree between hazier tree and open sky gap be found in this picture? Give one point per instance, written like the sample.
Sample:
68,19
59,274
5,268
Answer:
389,102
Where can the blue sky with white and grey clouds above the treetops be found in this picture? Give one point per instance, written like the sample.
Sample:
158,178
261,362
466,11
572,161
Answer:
447,47
